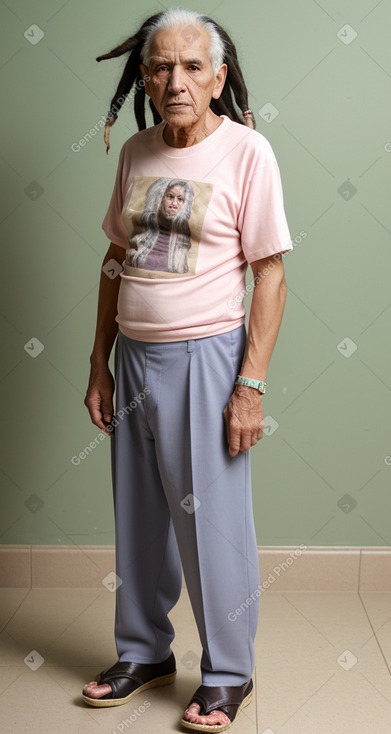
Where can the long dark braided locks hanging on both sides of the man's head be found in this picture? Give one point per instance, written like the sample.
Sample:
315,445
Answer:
234,95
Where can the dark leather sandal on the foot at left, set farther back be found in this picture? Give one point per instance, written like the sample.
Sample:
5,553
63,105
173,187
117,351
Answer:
129,679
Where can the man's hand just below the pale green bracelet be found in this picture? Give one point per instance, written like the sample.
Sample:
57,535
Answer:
244,420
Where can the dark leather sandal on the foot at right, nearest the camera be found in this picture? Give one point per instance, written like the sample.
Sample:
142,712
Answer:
228,699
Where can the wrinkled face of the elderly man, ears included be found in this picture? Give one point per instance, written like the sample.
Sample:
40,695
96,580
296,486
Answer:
182,82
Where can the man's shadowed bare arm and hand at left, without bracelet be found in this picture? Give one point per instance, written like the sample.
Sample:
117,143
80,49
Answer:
100,390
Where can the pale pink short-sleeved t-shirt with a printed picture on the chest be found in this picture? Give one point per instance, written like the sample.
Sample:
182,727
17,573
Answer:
190,220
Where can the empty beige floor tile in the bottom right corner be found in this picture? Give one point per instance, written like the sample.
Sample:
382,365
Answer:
324,700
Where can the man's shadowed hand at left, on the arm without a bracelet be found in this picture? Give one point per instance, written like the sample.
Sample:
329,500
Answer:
99,397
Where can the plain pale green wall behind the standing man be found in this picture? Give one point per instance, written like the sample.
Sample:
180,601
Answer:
322,477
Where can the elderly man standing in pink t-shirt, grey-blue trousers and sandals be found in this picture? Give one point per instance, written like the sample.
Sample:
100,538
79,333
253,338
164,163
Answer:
189,380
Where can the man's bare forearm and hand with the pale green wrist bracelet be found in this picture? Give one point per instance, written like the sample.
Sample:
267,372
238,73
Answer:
244,412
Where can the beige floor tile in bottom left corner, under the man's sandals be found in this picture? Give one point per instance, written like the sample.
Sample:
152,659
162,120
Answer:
47,701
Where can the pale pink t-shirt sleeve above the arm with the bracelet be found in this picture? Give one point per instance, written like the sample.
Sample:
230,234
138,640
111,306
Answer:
262,223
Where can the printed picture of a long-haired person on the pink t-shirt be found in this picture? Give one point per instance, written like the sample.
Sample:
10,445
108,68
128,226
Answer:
164,218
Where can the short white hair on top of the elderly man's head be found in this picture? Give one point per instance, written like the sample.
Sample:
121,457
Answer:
175,17
